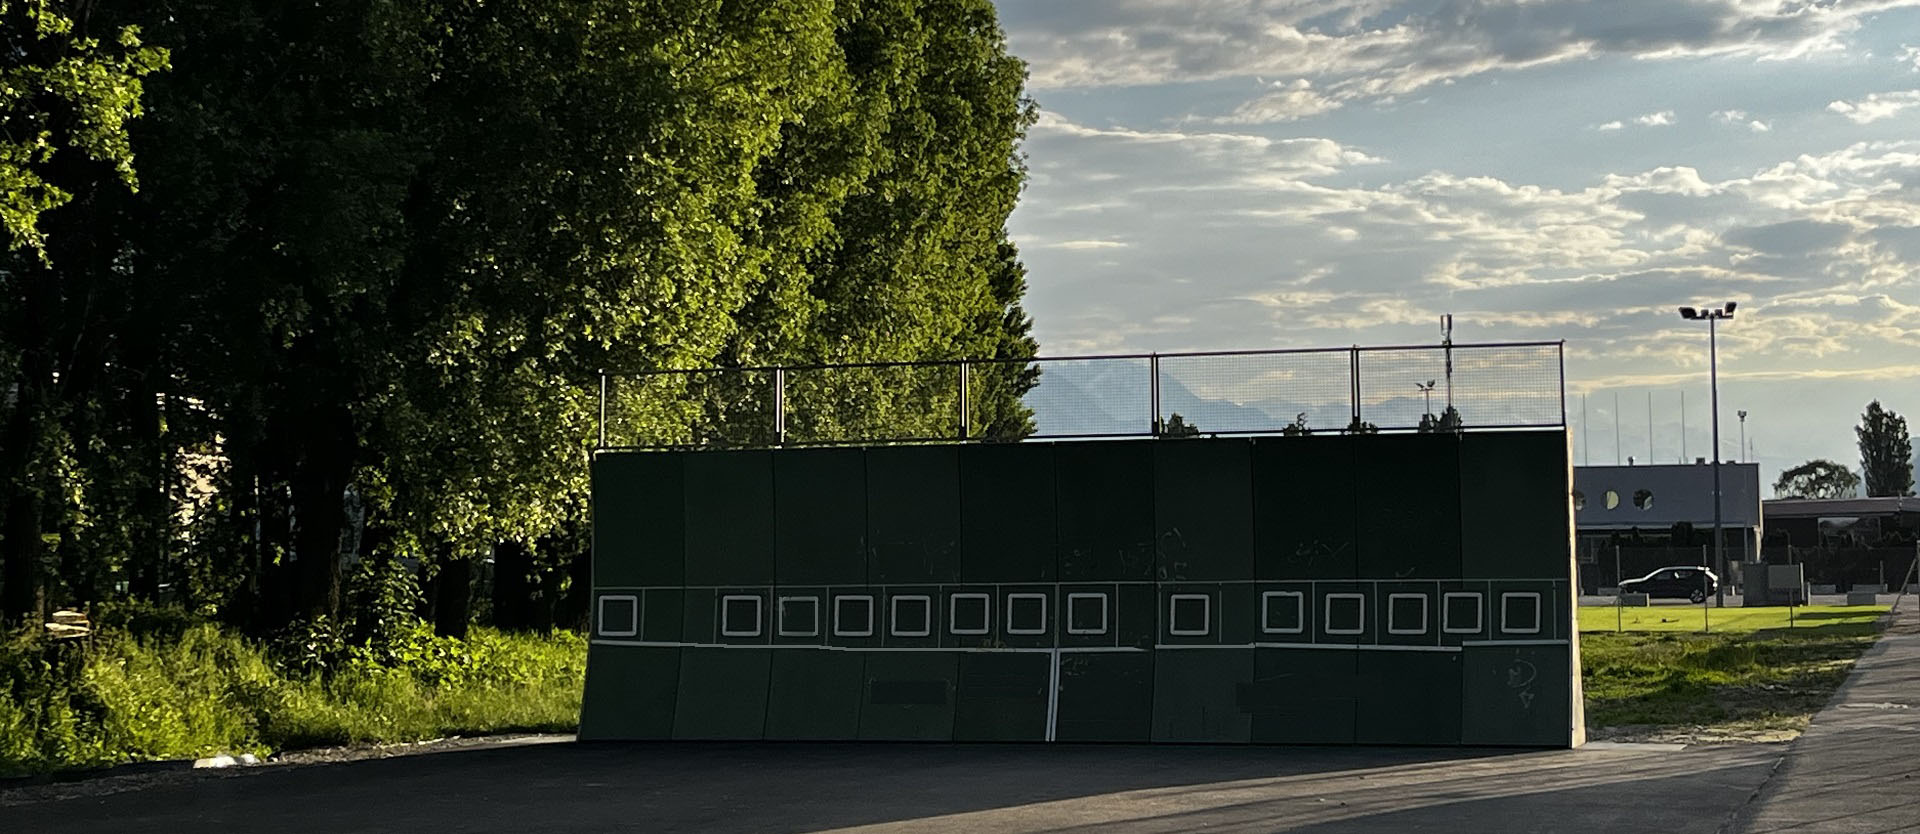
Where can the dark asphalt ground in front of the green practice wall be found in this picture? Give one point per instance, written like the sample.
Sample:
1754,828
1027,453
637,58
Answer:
942,789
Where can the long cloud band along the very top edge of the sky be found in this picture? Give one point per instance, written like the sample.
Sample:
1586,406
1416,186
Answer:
1387,49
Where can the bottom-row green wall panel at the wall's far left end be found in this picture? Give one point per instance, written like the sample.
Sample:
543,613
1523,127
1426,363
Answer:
631,693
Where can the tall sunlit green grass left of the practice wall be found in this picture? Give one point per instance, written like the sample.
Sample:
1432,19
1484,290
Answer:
203,691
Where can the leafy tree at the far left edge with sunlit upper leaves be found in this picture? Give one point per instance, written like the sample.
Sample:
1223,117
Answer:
66,101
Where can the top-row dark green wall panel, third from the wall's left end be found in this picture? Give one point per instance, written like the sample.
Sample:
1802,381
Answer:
821,516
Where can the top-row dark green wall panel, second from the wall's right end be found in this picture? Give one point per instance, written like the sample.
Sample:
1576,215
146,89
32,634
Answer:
1408,506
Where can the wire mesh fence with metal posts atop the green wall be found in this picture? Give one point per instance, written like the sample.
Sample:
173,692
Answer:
1449,387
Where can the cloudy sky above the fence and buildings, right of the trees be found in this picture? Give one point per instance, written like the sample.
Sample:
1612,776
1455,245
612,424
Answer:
1249,174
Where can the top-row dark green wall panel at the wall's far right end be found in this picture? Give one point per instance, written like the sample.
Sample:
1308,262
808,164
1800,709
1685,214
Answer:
1516,504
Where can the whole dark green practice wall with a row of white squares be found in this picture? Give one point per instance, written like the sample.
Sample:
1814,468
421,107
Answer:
1376,589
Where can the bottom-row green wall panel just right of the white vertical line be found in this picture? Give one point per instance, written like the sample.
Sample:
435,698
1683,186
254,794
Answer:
1105,697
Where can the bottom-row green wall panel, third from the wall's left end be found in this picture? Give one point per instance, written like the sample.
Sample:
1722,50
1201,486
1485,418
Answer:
815,695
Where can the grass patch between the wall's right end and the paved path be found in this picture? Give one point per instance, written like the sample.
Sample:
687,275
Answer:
1752,679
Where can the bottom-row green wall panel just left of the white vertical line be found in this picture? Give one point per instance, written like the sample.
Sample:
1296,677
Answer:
1003,697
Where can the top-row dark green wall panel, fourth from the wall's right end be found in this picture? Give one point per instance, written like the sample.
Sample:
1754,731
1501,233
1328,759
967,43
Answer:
1205,510
